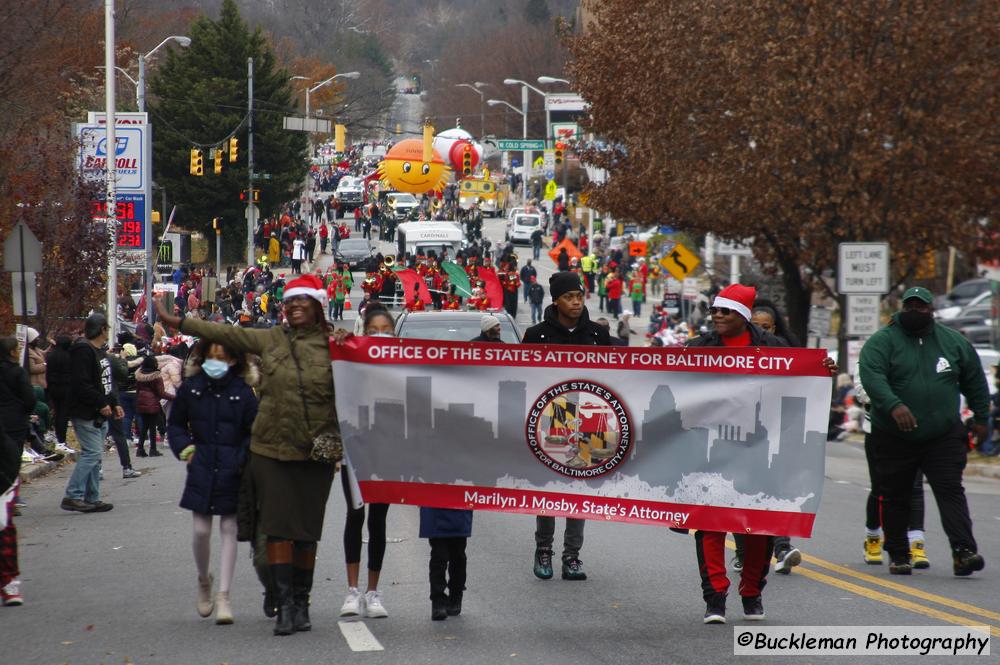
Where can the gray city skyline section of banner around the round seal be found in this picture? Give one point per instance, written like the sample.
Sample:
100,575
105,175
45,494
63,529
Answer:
741,453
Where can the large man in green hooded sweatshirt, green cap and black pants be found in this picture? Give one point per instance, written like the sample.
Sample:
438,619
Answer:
914,371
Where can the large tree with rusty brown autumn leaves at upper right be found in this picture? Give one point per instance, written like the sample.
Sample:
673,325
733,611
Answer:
800,125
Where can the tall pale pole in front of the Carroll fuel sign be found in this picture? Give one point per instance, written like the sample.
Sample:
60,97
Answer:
111,153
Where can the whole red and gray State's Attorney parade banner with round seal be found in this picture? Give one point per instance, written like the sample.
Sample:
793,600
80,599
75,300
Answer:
720,439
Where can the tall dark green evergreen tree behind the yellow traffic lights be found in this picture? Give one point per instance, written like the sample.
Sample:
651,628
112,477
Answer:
200,100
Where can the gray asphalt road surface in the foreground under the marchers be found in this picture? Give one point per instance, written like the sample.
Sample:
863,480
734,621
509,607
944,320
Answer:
119,587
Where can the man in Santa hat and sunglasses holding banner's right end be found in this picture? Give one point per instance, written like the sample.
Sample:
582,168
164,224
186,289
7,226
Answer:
731,313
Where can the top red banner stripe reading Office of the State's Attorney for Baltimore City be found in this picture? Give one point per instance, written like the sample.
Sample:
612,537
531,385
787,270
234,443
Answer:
773,361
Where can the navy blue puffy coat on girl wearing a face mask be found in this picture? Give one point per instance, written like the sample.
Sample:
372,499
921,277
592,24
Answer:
215,416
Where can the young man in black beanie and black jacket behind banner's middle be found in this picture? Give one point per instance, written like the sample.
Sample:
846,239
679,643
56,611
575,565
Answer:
565,321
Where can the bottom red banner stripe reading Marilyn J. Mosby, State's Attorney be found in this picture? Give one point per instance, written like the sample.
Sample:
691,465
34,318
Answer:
582,506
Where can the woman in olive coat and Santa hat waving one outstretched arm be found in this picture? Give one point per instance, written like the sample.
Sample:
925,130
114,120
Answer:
296,405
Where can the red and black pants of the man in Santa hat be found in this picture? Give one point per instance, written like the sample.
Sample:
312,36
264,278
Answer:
711,549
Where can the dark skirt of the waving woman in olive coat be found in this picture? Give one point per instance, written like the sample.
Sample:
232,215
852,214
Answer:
291,497
